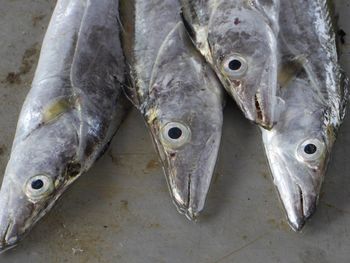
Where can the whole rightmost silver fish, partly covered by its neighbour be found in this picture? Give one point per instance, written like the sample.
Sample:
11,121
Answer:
315,90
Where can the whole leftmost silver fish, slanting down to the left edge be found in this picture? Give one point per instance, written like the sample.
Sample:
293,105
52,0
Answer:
69,116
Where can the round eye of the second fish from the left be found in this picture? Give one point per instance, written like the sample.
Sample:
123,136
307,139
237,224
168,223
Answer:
175,134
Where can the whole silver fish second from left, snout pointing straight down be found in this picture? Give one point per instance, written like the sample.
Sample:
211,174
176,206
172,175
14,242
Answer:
178,95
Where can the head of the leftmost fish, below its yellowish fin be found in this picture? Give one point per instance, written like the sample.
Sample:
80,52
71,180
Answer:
38,171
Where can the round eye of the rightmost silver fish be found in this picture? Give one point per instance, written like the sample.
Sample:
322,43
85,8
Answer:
310,150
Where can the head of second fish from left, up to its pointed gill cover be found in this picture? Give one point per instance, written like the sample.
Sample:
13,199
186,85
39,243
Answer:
185,119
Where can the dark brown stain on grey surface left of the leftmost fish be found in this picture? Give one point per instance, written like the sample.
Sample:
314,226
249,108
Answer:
28,59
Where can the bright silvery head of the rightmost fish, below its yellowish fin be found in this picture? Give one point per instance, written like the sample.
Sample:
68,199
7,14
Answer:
298,150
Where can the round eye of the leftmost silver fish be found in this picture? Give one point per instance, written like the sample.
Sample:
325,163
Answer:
38,187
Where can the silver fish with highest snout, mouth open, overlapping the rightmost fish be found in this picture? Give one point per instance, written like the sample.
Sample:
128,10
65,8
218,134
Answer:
239,39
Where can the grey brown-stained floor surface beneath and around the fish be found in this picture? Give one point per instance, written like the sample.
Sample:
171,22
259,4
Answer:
121,211
